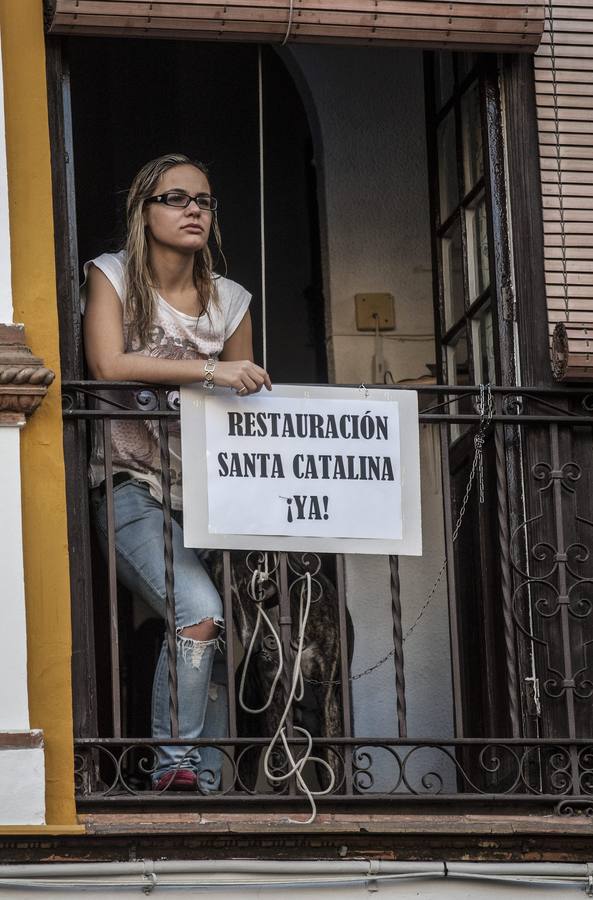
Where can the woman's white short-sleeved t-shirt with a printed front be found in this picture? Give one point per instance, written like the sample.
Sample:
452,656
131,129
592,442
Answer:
175,335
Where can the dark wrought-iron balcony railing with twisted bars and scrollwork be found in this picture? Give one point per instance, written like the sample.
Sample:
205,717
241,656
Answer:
517,591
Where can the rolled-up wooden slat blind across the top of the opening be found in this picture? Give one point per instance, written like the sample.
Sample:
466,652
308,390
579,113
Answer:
465,24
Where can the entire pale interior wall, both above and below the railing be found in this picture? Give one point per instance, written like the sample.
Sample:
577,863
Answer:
370,149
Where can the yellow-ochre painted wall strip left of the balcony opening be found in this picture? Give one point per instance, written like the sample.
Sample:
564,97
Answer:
34,297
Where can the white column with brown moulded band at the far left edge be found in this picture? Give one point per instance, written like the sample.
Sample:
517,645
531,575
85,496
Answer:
23,381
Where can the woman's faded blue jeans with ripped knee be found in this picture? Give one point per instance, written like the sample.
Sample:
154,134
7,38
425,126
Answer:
202,705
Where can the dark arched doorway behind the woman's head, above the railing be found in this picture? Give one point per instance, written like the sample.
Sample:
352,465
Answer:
133,100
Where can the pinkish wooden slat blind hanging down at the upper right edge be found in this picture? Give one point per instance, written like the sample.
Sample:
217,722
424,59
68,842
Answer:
564,78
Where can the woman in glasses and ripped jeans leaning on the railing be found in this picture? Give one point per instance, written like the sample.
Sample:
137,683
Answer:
156,312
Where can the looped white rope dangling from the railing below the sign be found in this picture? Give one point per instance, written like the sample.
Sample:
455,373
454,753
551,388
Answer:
295,766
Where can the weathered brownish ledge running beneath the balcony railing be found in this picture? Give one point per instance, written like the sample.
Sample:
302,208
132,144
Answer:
405,836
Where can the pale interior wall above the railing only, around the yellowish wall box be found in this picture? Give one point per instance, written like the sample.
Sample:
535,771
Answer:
370,108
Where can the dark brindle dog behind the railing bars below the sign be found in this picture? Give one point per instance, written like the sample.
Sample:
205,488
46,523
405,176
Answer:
319,710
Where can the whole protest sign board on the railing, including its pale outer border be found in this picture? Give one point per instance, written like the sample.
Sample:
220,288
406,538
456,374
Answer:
315,468
